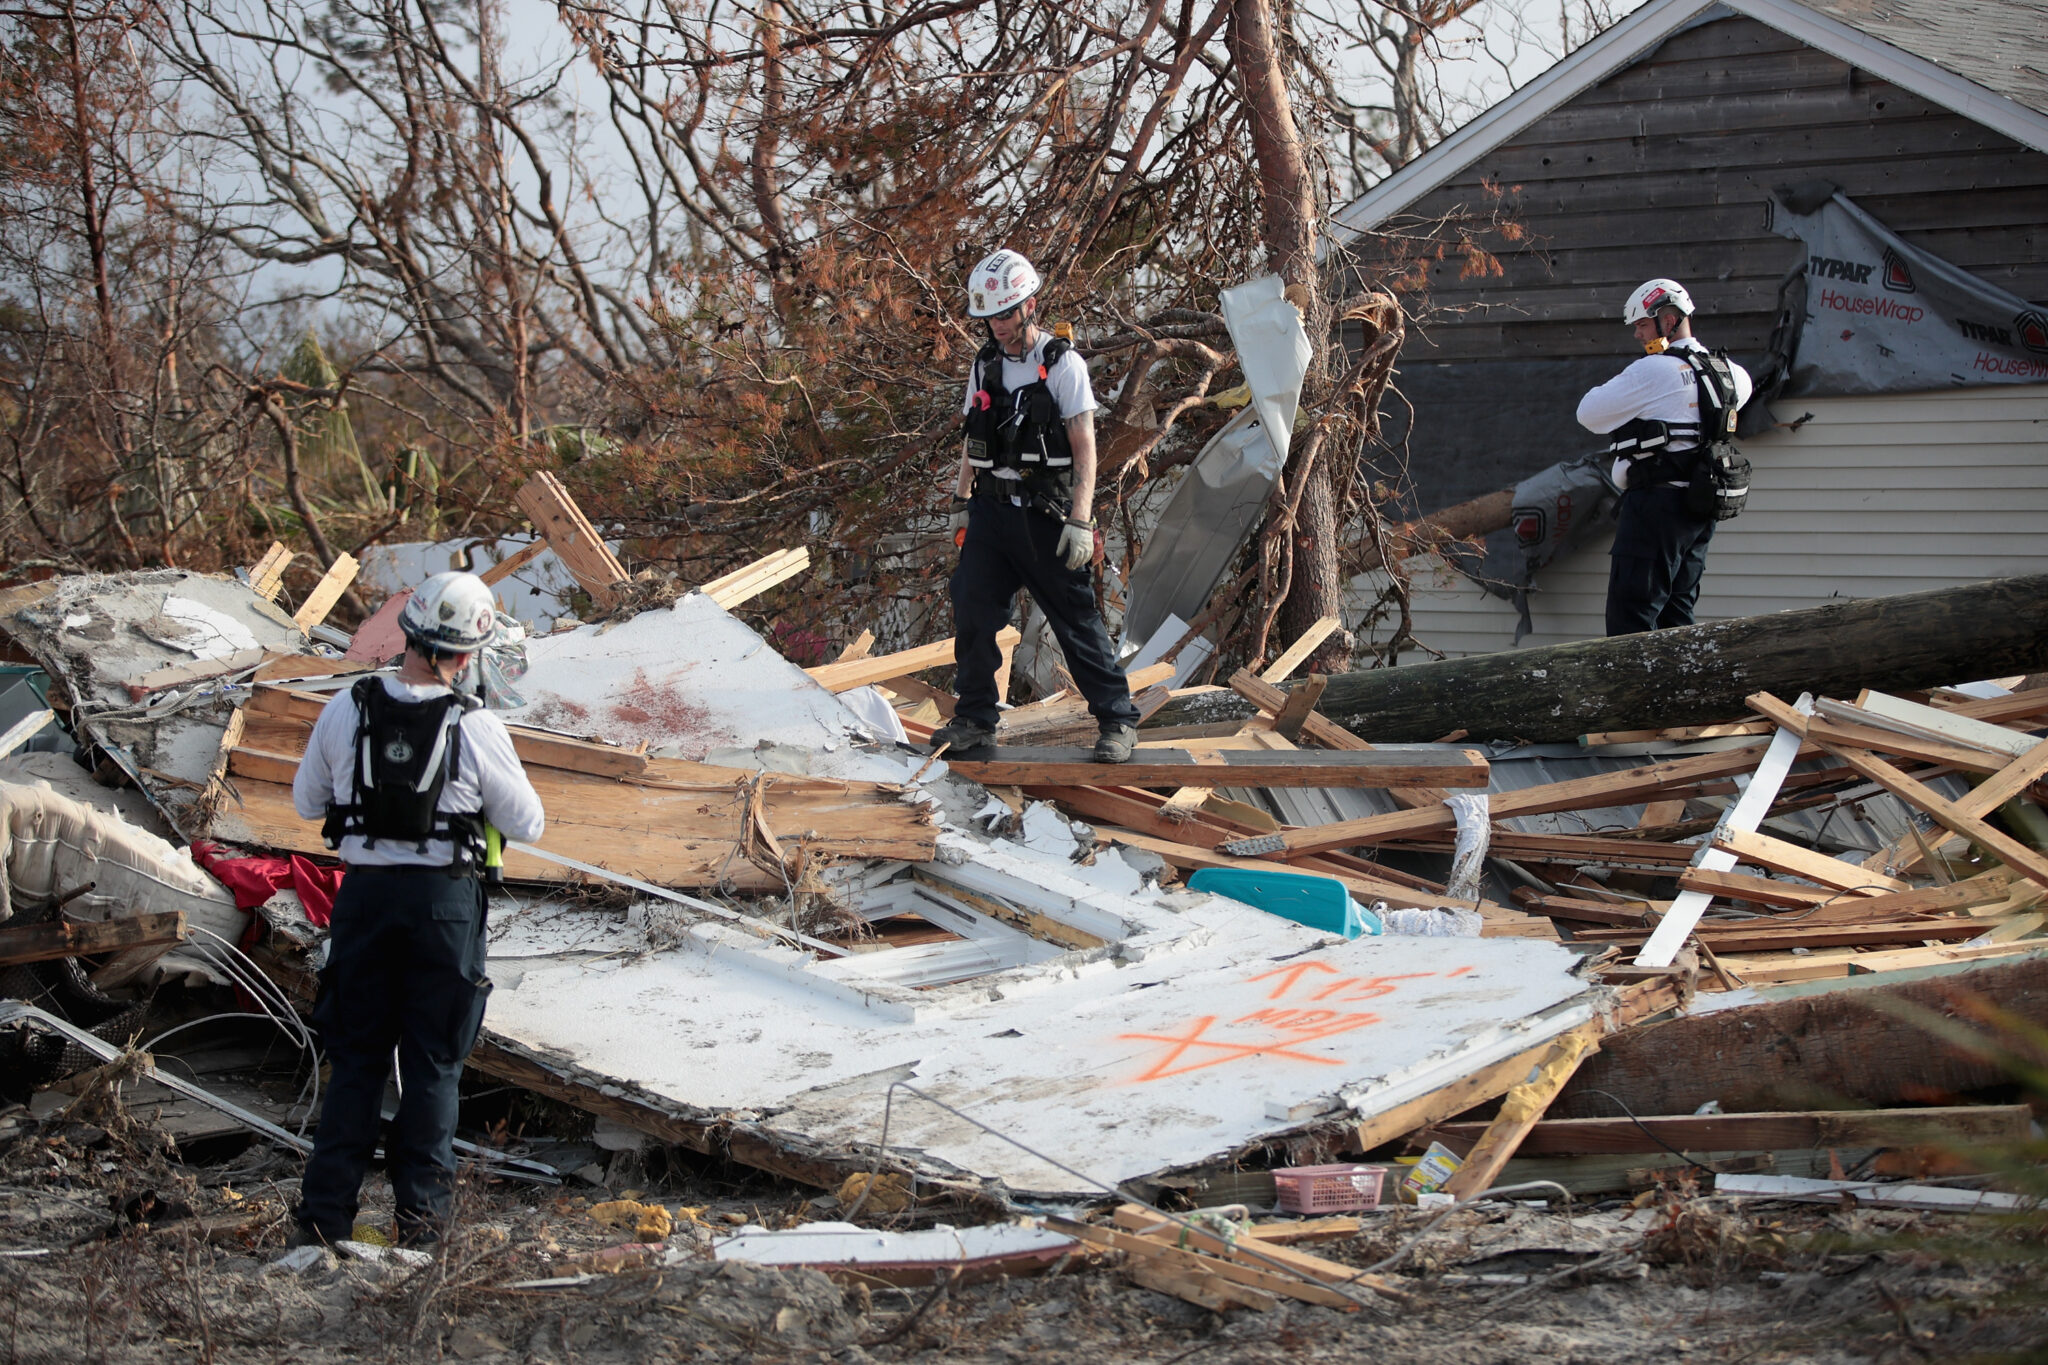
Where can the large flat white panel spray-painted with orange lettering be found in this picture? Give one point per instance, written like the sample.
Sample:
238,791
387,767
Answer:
1193,1030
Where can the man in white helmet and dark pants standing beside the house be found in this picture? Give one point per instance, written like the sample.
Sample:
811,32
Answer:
1660,545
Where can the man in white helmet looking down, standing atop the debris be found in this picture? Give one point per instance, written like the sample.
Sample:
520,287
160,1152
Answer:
1023,498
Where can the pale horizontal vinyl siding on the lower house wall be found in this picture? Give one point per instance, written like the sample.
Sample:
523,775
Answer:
1871,496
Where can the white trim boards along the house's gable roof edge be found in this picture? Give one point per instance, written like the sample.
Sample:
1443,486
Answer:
1623,44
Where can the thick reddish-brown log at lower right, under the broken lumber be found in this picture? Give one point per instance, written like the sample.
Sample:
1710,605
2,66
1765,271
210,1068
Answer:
1844,1049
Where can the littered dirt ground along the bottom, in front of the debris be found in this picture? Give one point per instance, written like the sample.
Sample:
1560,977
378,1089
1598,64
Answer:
116,1251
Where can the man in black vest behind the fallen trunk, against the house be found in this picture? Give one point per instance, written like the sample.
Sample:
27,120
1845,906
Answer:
1672,414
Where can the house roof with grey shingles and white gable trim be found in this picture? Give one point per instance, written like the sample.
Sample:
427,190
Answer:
1979,58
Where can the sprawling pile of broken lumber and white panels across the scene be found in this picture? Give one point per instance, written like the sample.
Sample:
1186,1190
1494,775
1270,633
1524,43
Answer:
767,924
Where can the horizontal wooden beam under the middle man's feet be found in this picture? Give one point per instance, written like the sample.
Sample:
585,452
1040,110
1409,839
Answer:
1318,768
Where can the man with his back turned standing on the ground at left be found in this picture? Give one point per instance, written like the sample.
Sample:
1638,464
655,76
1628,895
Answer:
407,773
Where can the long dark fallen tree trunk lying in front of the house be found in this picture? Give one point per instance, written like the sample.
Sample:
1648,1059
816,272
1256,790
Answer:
1687,676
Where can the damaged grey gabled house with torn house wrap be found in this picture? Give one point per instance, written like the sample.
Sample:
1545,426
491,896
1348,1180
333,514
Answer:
1852,195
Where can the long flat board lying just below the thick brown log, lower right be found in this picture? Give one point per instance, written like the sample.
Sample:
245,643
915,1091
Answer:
1766,1133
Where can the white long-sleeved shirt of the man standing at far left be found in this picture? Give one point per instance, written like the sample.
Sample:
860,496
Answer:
486,775
